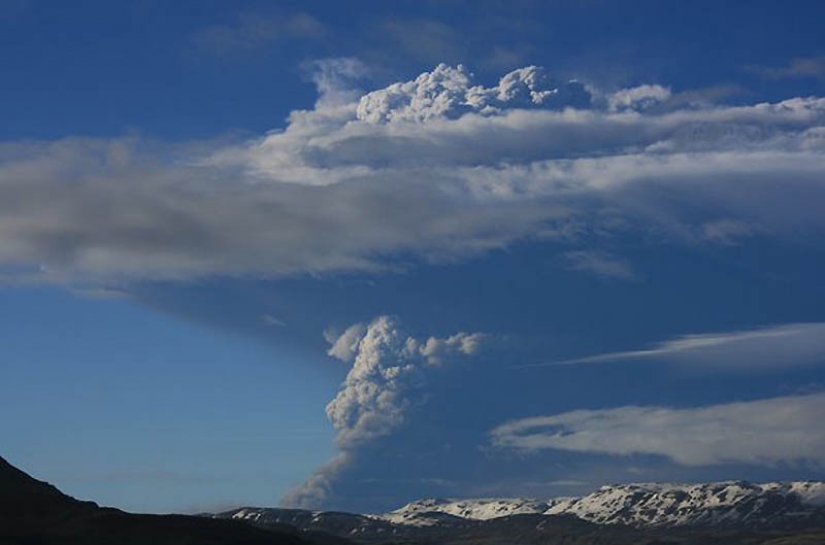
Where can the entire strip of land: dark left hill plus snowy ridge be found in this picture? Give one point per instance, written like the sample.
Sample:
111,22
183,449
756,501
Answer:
33,512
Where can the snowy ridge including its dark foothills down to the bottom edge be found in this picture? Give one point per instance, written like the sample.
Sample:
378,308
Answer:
729,513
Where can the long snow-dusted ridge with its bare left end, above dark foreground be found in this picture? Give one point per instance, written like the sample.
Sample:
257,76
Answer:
731,505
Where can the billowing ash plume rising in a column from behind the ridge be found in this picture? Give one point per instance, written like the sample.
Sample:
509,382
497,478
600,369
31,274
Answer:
387,380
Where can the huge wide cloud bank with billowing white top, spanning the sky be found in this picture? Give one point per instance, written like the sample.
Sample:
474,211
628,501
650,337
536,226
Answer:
436,169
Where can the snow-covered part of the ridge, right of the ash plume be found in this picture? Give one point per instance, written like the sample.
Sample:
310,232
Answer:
723,504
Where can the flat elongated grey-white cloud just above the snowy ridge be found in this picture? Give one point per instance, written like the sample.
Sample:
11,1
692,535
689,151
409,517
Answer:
781,430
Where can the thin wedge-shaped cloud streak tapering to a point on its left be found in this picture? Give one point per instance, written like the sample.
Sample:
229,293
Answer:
778,346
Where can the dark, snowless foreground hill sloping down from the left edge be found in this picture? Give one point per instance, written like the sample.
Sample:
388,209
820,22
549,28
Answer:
33,512
